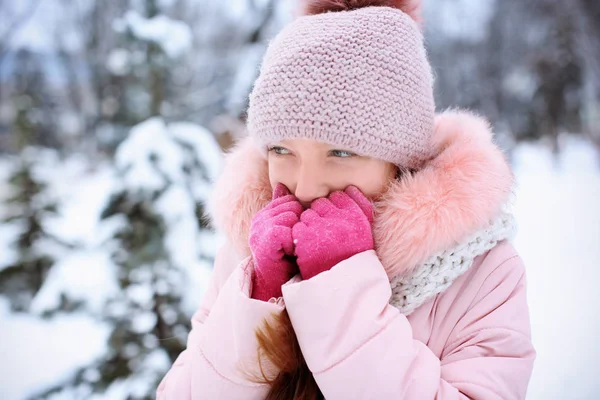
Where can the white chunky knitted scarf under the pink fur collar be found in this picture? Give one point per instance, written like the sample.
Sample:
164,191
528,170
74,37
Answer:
442,269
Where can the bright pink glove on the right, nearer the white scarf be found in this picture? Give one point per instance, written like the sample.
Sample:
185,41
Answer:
333,230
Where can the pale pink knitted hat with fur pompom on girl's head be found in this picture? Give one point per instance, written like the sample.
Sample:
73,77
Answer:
355,75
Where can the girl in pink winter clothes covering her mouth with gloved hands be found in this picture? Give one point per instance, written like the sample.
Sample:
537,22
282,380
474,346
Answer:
368,252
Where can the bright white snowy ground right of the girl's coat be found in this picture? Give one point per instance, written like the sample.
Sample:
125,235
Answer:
558,239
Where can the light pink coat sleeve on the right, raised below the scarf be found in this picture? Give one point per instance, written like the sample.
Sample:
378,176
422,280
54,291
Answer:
360,347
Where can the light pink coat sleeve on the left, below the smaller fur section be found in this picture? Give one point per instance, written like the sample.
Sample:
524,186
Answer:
221,349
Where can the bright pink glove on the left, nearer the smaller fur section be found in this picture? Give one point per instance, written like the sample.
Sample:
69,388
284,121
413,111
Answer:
272,245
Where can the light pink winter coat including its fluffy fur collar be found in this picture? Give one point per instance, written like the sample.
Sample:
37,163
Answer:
472,341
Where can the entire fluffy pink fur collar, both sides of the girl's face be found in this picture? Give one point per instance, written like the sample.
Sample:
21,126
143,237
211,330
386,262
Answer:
459,191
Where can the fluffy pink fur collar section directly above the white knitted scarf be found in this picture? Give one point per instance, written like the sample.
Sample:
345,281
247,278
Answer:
457,193
